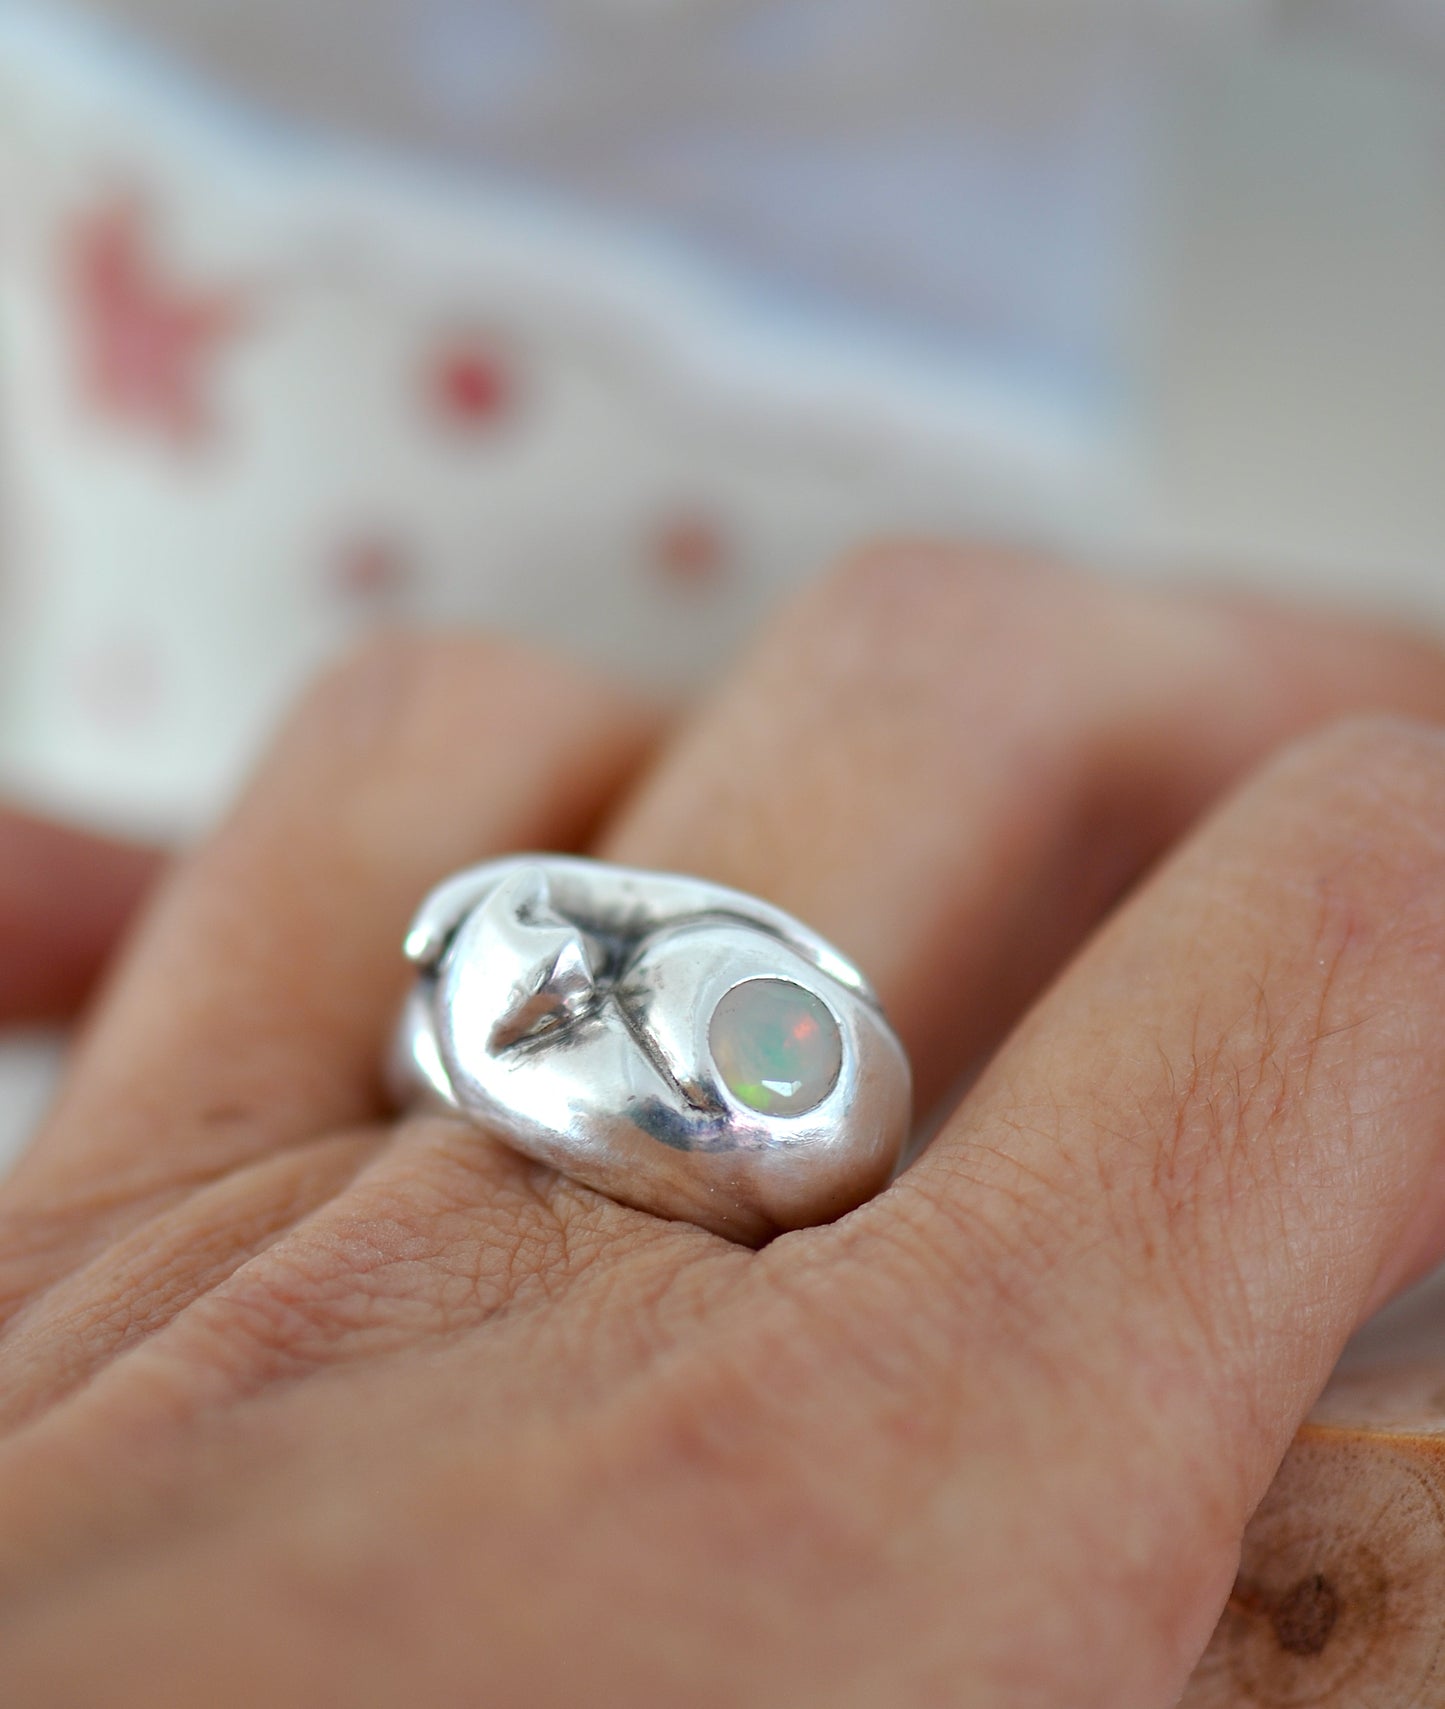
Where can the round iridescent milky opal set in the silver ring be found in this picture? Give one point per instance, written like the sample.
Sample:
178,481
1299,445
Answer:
776,1047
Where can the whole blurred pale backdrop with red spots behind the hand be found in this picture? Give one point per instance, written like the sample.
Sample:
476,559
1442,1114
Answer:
609,320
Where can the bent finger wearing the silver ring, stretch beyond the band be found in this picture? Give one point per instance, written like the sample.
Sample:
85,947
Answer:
952,765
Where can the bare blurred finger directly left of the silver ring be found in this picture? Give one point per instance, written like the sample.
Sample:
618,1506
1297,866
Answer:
257,1004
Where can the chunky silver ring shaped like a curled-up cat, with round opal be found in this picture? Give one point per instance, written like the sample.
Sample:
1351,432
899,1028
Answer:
676,1045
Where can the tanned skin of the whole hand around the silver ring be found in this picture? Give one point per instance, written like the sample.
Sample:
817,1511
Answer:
307,1406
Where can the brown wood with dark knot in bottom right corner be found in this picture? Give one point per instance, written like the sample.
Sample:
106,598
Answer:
1342,1594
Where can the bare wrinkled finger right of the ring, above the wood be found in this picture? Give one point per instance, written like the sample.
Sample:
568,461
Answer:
1140,1247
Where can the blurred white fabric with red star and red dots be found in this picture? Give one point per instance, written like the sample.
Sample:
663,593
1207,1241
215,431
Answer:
679,442
